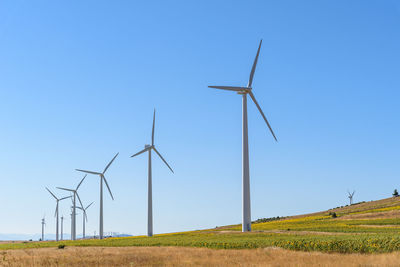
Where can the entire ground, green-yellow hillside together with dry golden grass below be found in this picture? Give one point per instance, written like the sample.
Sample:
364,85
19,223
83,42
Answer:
363,234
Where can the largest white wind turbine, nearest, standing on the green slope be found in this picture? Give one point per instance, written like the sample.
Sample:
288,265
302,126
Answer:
244,91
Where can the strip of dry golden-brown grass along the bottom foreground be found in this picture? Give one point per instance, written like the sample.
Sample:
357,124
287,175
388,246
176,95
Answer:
179,256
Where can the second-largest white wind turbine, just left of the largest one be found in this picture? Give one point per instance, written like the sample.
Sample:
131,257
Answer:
149,188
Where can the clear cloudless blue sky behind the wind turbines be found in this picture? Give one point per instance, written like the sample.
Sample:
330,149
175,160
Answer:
79,81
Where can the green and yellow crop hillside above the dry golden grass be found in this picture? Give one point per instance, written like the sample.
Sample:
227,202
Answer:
364,227
